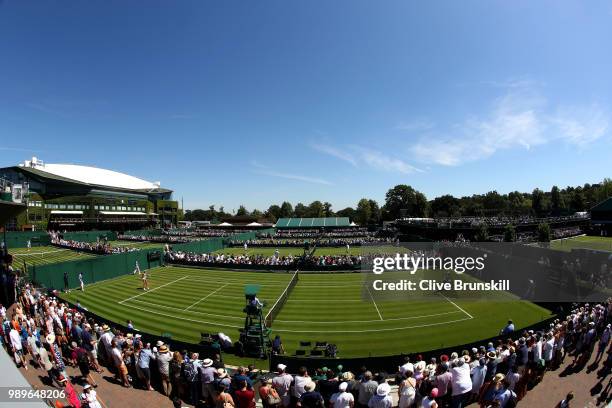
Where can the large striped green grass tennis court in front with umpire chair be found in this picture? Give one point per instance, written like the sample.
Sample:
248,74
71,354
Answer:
322,307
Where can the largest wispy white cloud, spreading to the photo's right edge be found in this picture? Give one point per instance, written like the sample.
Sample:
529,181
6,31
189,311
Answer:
518,119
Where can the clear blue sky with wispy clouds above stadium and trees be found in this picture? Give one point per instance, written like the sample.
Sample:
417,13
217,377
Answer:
253,103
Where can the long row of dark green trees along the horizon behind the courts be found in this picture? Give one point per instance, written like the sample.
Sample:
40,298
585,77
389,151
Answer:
404,201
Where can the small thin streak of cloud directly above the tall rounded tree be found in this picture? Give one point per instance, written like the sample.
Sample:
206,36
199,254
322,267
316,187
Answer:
362,156
